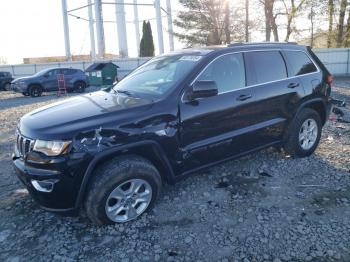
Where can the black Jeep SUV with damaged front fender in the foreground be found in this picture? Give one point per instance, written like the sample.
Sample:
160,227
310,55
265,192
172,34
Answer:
111,151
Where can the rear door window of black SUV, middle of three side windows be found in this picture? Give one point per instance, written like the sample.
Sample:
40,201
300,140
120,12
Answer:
268,66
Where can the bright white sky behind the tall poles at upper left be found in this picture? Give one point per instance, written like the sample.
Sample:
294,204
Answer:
34,28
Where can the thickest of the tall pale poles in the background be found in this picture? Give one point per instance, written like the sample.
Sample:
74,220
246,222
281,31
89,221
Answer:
121,28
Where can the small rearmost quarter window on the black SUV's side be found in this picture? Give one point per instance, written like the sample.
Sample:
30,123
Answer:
300,63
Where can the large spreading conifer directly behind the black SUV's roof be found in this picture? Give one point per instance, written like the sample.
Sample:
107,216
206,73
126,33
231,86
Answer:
209,22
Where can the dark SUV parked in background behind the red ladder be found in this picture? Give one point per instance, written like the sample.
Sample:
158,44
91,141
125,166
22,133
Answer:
46,81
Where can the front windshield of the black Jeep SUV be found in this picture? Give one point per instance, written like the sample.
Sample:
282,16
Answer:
158,75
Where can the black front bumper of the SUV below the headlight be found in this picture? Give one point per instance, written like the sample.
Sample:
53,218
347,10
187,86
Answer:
61,176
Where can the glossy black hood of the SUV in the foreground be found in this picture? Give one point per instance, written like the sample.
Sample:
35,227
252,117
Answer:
63,120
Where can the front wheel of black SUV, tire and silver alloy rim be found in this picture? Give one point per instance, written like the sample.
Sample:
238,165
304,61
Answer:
117,177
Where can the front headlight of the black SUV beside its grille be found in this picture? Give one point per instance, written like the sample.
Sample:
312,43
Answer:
51,148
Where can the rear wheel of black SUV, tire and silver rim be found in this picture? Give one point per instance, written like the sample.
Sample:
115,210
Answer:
301,128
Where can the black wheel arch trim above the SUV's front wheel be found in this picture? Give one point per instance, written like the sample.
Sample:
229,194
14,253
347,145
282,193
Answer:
149,150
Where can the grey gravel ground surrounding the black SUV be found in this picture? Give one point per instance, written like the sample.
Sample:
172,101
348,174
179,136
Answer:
263,207
